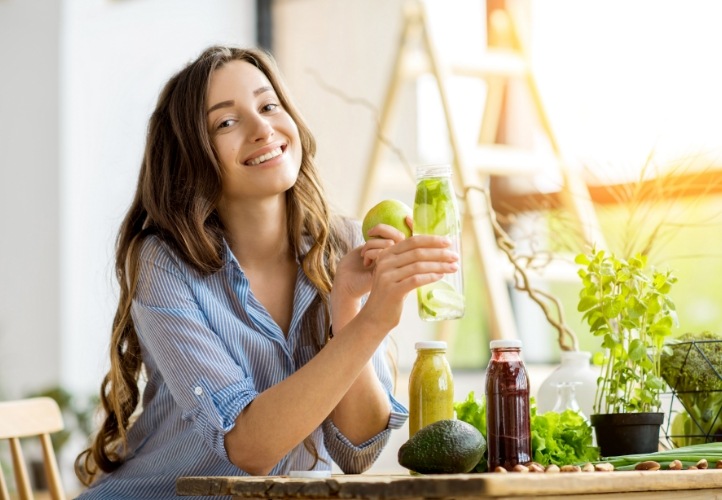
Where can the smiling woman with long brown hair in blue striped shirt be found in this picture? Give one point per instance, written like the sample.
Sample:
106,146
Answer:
256,318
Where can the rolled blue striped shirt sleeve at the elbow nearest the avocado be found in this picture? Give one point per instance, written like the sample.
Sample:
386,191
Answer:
353,459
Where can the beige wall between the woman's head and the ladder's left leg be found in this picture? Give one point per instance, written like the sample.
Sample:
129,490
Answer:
349,48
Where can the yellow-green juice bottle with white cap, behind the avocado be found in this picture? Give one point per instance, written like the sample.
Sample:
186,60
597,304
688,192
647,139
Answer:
431,386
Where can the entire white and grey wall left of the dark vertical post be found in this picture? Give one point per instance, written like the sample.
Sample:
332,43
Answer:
79,80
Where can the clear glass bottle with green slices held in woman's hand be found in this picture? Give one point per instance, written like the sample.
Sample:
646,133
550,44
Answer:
436,212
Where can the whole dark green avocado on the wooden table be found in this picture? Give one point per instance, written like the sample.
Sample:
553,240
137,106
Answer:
444,447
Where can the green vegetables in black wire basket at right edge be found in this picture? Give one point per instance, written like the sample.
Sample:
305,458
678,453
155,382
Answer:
691,366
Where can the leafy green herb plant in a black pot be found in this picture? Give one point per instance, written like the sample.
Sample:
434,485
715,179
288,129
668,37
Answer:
629,308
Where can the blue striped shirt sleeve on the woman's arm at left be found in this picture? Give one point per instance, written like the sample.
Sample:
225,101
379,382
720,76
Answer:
210,386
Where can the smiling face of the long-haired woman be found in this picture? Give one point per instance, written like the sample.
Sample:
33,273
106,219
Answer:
256,140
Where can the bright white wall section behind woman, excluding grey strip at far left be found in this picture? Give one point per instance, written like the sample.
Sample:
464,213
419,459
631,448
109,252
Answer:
116,55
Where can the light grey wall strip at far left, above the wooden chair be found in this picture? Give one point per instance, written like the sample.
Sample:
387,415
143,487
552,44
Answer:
29,195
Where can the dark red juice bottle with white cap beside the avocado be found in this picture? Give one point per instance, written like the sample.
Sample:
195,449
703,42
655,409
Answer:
508,431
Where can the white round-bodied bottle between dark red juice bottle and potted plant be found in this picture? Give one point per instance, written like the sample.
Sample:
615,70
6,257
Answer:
575,368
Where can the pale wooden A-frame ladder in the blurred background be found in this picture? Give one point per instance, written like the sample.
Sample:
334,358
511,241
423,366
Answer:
503,61
